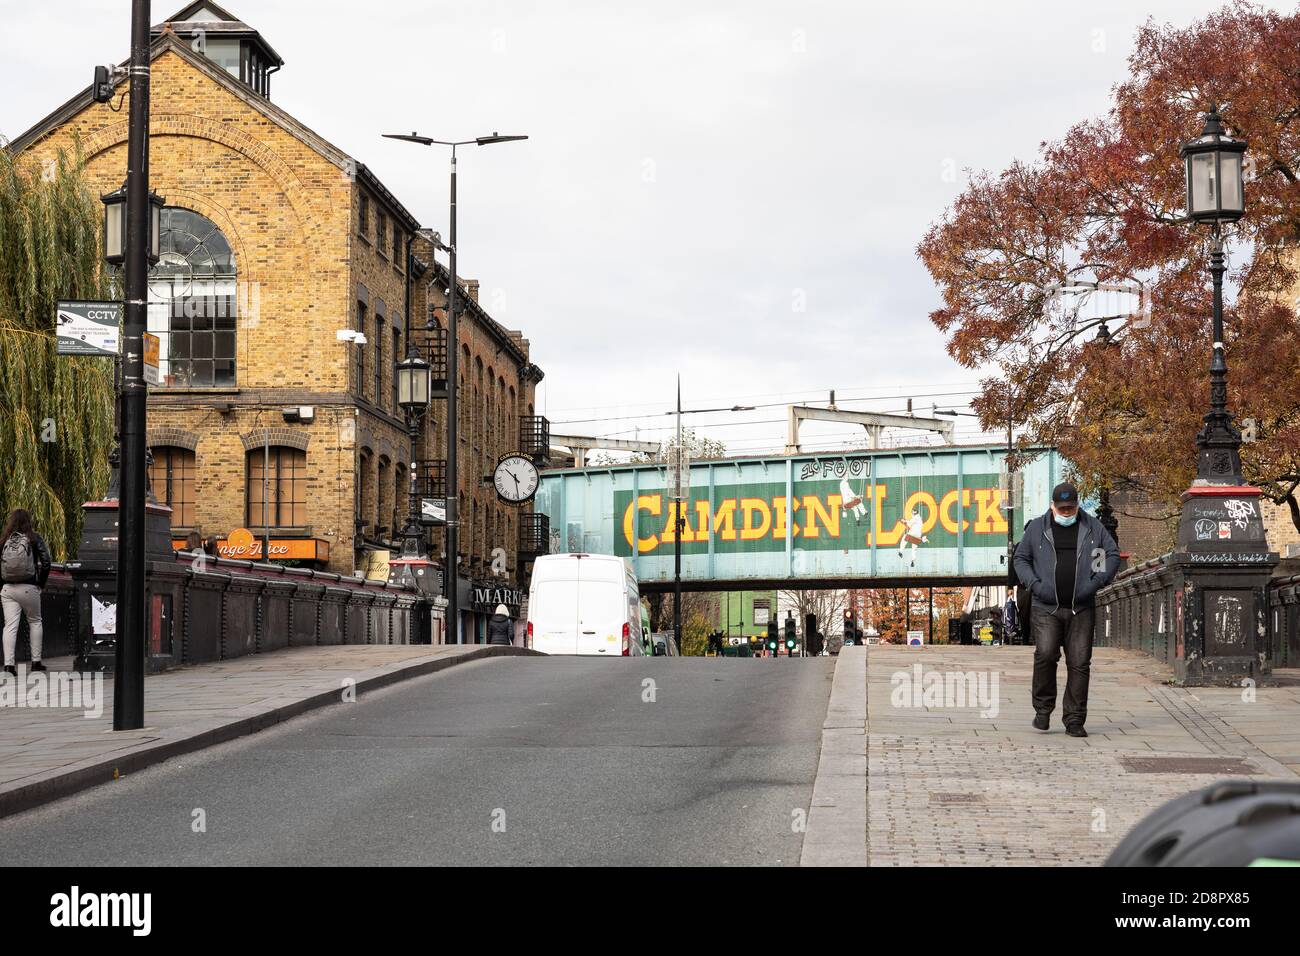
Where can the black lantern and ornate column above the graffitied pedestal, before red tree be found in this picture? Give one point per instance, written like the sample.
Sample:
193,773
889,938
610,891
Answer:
1215,198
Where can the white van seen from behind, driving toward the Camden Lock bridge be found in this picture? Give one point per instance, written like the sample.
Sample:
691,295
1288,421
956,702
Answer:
586,604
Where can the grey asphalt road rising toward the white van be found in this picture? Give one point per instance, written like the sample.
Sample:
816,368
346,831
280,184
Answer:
525,760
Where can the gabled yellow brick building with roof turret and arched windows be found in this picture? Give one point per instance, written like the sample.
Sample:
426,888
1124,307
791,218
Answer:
275,241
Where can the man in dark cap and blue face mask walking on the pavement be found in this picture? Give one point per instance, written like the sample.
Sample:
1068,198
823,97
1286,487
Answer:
1065,559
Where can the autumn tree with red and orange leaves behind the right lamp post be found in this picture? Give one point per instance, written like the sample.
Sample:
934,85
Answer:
1123,391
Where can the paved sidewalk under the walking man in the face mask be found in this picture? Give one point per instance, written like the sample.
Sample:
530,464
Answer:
948,786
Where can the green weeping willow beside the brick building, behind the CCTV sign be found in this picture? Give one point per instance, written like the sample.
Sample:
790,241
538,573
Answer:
57,412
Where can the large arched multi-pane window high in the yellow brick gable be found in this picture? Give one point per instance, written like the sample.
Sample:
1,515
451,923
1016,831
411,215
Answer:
193,302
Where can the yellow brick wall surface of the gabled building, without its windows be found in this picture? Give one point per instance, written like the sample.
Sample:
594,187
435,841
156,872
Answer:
292,217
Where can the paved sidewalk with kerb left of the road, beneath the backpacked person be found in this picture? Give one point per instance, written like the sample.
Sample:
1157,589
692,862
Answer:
47,752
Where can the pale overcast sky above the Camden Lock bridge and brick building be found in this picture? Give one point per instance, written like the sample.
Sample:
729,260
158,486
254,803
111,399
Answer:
727,191
